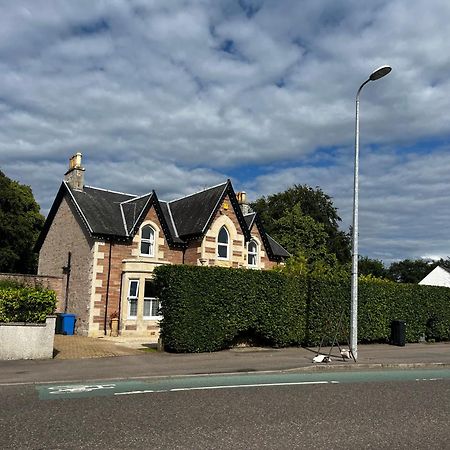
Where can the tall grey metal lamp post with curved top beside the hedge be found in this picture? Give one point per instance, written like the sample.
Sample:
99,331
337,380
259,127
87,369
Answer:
375,75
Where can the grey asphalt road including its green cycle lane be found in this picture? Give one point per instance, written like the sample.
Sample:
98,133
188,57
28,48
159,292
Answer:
352,410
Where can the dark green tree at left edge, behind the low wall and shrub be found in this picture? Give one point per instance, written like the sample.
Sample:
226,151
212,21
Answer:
20,225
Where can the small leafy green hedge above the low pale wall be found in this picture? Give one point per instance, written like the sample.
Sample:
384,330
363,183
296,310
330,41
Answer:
26,304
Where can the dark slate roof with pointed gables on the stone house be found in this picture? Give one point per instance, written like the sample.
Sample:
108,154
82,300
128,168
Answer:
117,216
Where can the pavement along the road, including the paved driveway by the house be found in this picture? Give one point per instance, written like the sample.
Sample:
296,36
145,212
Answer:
79,358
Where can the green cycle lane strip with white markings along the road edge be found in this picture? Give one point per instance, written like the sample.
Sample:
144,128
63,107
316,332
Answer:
209,382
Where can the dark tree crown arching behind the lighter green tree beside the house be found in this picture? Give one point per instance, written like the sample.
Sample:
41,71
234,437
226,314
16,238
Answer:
313,203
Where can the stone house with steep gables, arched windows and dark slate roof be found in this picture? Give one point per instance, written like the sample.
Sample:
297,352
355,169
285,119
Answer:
108,243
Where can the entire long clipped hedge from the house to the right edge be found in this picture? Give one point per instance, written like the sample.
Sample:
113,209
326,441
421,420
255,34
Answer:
212,308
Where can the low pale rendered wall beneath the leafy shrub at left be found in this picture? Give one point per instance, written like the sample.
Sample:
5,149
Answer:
27,340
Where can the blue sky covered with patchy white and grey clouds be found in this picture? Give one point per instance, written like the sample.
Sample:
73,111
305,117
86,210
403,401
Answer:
177,96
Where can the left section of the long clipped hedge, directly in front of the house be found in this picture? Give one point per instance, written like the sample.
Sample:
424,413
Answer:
208,308
